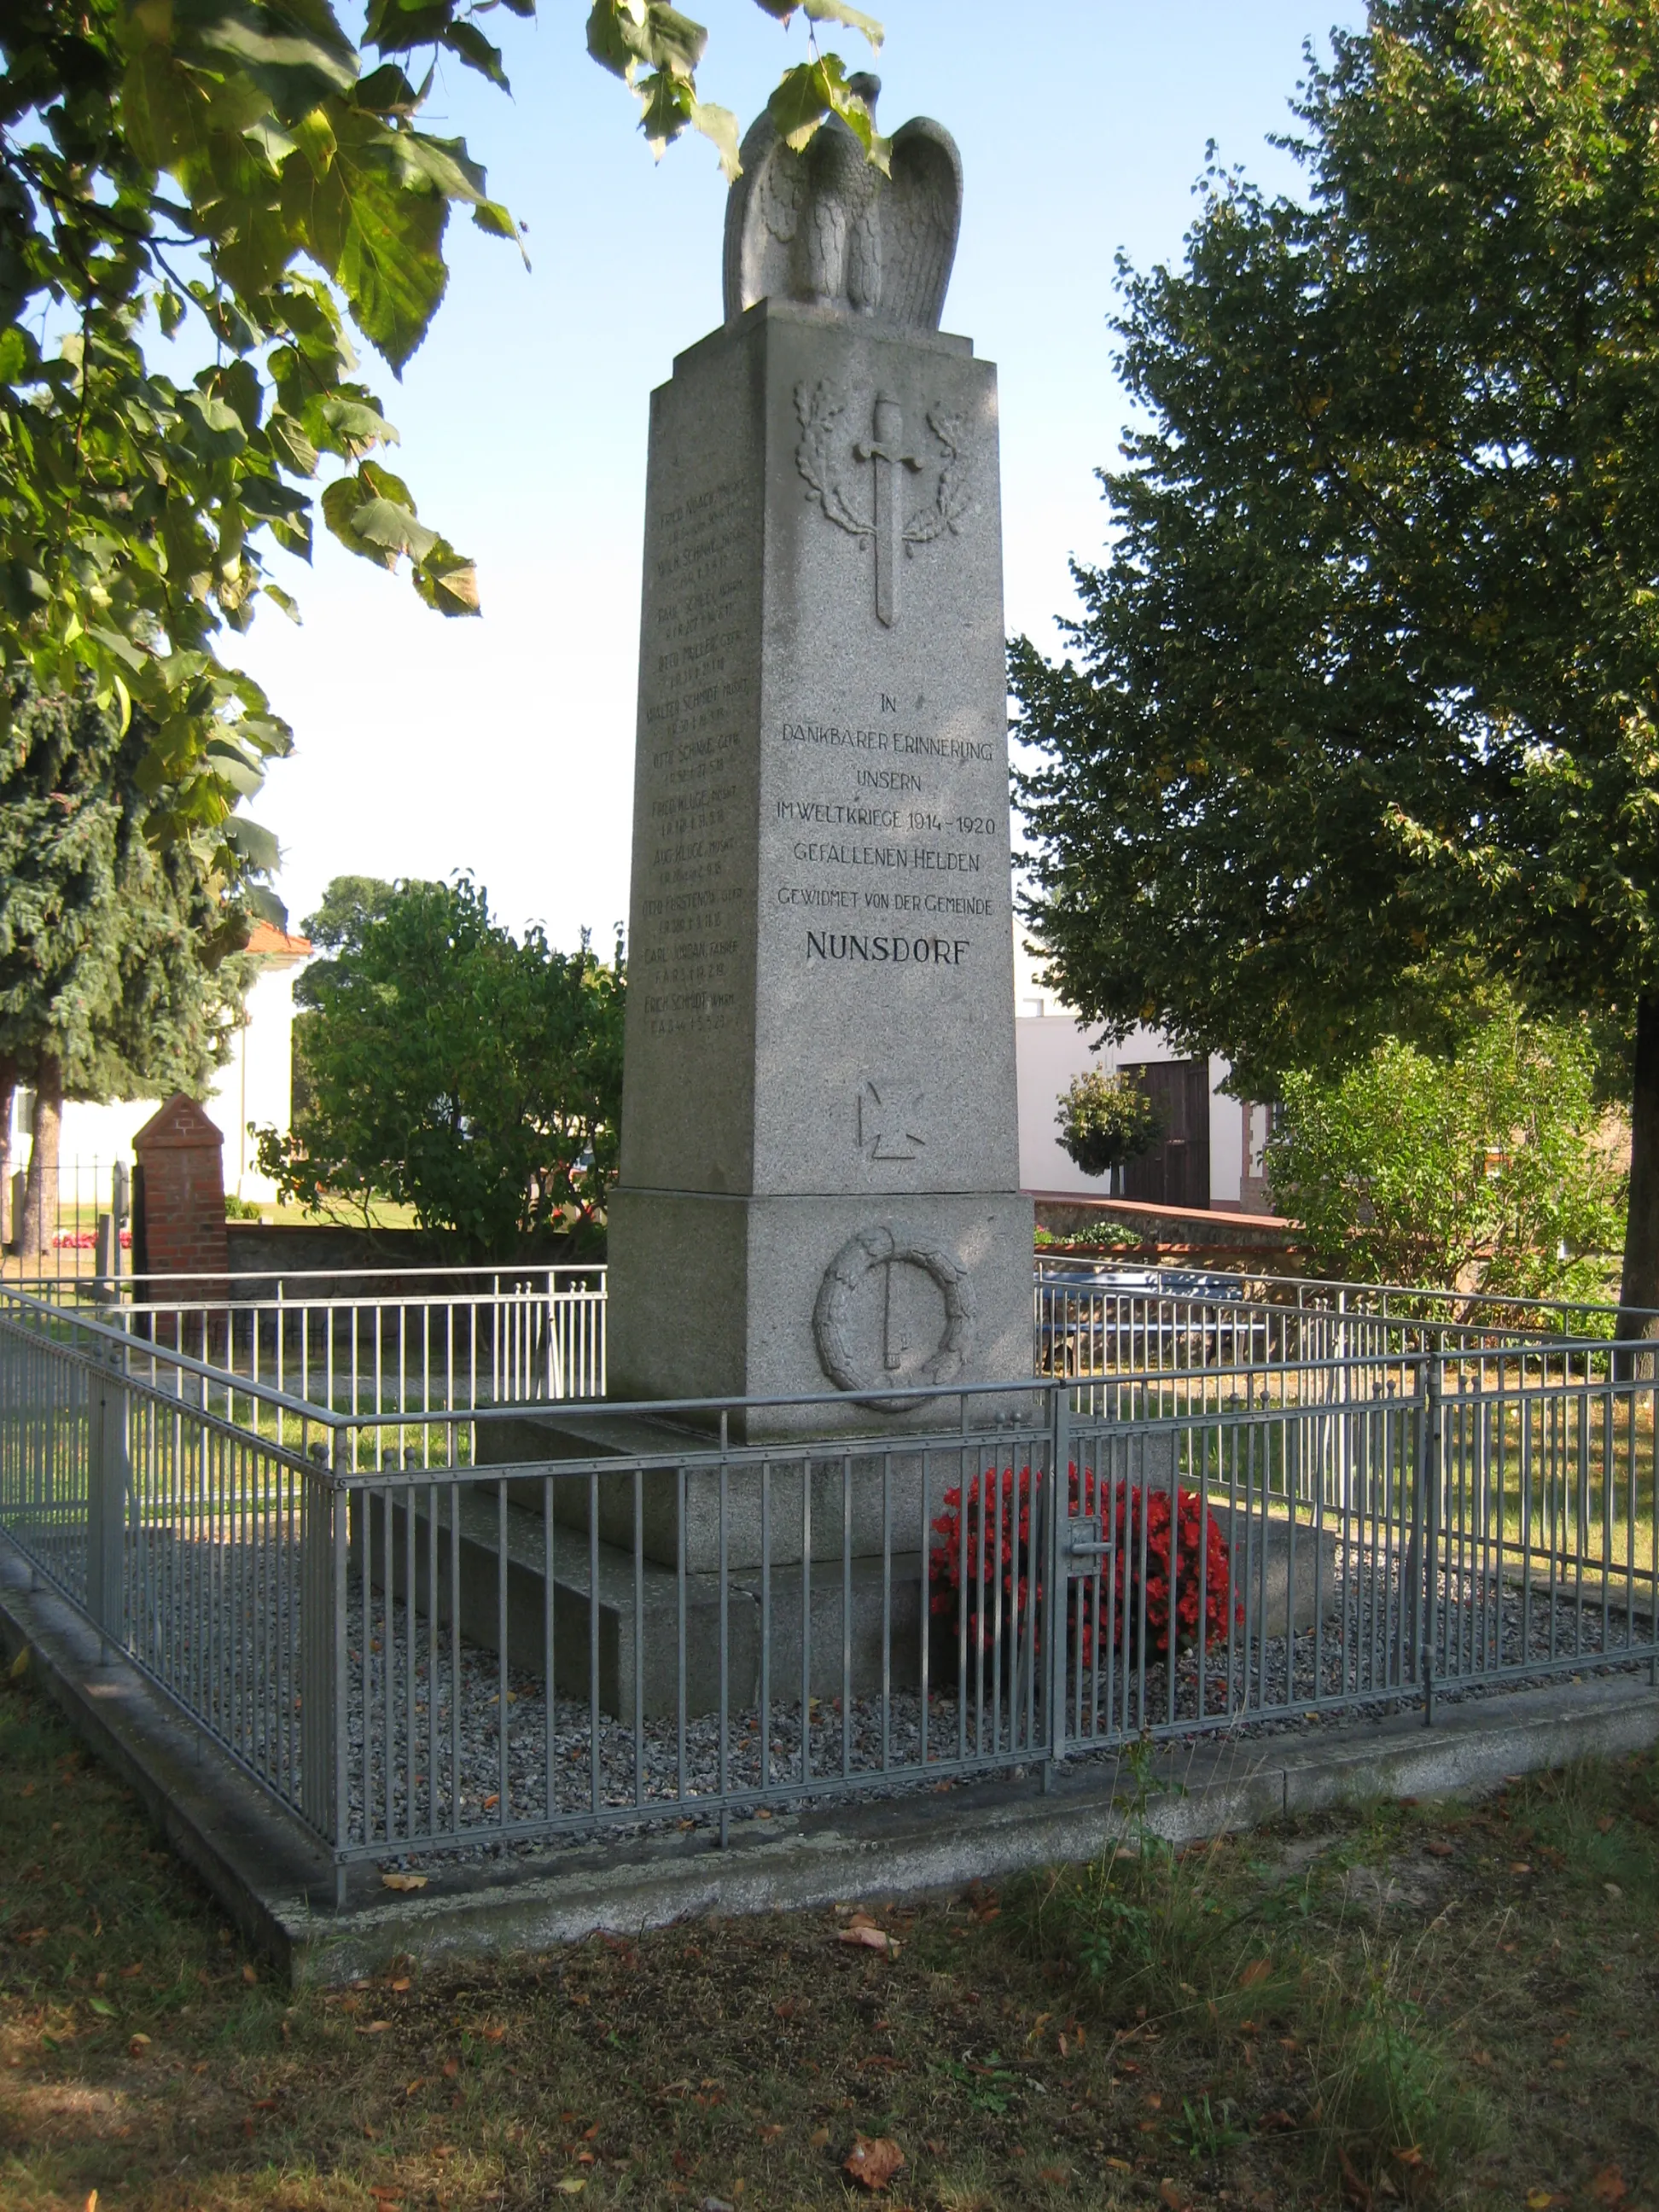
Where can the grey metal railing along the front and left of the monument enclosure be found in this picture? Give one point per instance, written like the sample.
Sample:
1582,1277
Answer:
430,1631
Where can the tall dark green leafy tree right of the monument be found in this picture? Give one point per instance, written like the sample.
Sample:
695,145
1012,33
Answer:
1364,705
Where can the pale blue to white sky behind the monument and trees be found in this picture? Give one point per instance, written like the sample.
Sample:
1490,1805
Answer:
505,747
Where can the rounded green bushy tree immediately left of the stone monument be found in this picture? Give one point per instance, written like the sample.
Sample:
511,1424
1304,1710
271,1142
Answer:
452,1070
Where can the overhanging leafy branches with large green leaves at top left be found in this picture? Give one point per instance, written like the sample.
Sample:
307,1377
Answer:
251,169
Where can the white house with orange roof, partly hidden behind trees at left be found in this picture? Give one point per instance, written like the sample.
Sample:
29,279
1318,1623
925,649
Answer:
255,1087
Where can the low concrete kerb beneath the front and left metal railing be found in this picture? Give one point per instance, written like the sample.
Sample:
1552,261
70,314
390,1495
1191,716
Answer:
280,1890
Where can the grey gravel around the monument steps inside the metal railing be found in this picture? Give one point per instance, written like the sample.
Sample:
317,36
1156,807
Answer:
229,1625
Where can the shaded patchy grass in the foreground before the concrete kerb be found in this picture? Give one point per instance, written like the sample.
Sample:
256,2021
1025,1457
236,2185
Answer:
1368,2010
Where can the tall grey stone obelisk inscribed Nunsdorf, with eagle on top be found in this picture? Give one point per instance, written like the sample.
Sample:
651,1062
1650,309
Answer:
820,1138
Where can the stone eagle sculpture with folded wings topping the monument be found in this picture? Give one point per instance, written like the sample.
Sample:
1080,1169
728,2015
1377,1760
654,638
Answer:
826,227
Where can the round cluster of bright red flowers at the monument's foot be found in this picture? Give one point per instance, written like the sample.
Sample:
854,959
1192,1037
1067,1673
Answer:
1142,1525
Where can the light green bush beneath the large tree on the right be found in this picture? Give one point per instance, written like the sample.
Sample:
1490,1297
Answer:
1488,1171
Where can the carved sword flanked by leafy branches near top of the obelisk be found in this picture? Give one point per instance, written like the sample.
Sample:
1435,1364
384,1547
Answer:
890,523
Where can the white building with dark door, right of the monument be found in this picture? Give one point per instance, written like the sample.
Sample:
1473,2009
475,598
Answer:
1220,1136
